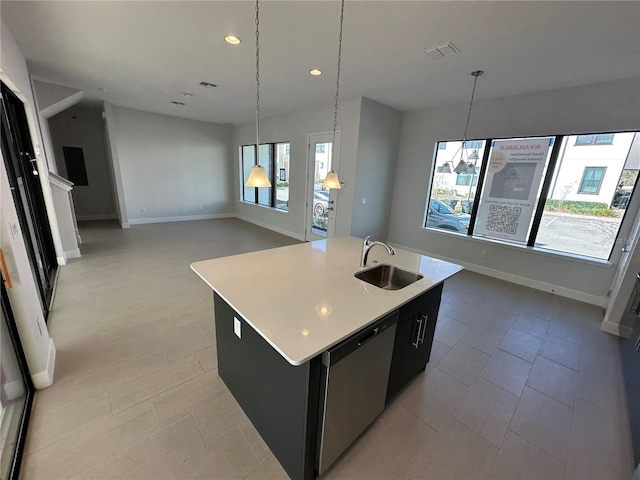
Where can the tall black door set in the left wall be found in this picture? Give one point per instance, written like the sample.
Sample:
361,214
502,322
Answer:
24,181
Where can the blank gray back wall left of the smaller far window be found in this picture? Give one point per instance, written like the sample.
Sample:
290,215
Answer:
172,168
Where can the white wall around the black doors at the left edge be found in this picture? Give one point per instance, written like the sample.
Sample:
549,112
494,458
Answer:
37,345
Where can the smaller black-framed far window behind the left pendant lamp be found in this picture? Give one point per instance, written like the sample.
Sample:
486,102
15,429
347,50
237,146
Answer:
274,157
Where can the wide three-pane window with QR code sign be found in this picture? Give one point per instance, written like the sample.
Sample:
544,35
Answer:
540,192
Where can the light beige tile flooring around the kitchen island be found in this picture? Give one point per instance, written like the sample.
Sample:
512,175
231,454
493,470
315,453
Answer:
521,384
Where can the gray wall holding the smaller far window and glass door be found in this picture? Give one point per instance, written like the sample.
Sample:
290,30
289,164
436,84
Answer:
294,128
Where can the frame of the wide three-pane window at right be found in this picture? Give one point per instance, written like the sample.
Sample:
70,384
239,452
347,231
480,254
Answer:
547,180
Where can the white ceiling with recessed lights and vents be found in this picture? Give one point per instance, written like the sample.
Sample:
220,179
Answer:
147,53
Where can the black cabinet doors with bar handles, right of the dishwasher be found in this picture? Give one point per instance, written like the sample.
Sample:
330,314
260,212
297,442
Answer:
414,338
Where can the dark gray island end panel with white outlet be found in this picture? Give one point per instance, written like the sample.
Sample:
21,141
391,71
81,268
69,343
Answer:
280,399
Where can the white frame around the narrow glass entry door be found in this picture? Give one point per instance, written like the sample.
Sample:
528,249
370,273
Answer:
313,139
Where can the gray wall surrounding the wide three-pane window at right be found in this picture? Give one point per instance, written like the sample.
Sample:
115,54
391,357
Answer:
604,107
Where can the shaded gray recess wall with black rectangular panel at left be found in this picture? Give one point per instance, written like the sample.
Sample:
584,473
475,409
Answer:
86,131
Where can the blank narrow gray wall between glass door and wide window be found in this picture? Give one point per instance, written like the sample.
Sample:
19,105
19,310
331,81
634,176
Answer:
378,142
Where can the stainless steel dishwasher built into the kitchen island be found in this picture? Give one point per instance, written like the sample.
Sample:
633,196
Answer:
354,379
